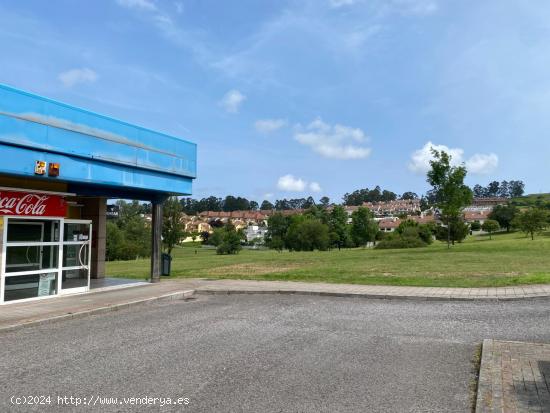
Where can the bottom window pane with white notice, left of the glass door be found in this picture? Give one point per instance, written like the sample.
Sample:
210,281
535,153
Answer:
30,286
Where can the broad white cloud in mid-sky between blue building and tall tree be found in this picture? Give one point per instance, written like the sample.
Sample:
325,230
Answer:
336,142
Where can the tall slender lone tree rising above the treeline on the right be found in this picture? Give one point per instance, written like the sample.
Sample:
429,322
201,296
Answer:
450,192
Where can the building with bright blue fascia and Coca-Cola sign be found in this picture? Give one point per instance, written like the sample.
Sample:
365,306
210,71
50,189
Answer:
59,165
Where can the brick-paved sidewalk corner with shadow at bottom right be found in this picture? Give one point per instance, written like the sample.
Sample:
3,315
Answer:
514,377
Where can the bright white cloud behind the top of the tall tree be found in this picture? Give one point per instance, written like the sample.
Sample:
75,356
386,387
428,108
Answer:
479,164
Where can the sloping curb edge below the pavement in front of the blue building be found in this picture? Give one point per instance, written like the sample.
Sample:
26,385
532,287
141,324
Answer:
178,295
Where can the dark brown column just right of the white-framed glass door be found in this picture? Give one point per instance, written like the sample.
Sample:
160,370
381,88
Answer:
94,208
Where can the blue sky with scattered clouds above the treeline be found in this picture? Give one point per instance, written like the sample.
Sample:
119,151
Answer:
299,98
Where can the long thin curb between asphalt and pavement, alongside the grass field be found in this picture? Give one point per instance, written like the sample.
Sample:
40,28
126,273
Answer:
222,291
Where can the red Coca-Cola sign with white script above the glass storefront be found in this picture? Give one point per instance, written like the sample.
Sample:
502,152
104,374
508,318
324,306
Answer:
32,204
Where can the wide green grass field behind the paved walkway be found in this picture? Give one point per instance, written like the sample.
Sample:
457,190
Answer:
508,259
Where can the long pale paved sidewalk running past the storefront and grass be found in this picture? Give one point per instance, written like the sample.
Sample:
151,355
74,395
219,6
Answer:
13,316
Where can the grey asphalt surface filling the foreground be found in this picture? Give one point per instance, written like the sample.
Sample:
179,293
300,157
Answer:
264,353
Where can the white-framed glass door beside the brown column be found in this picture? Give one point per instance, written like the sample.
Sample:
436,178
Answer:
75,260
